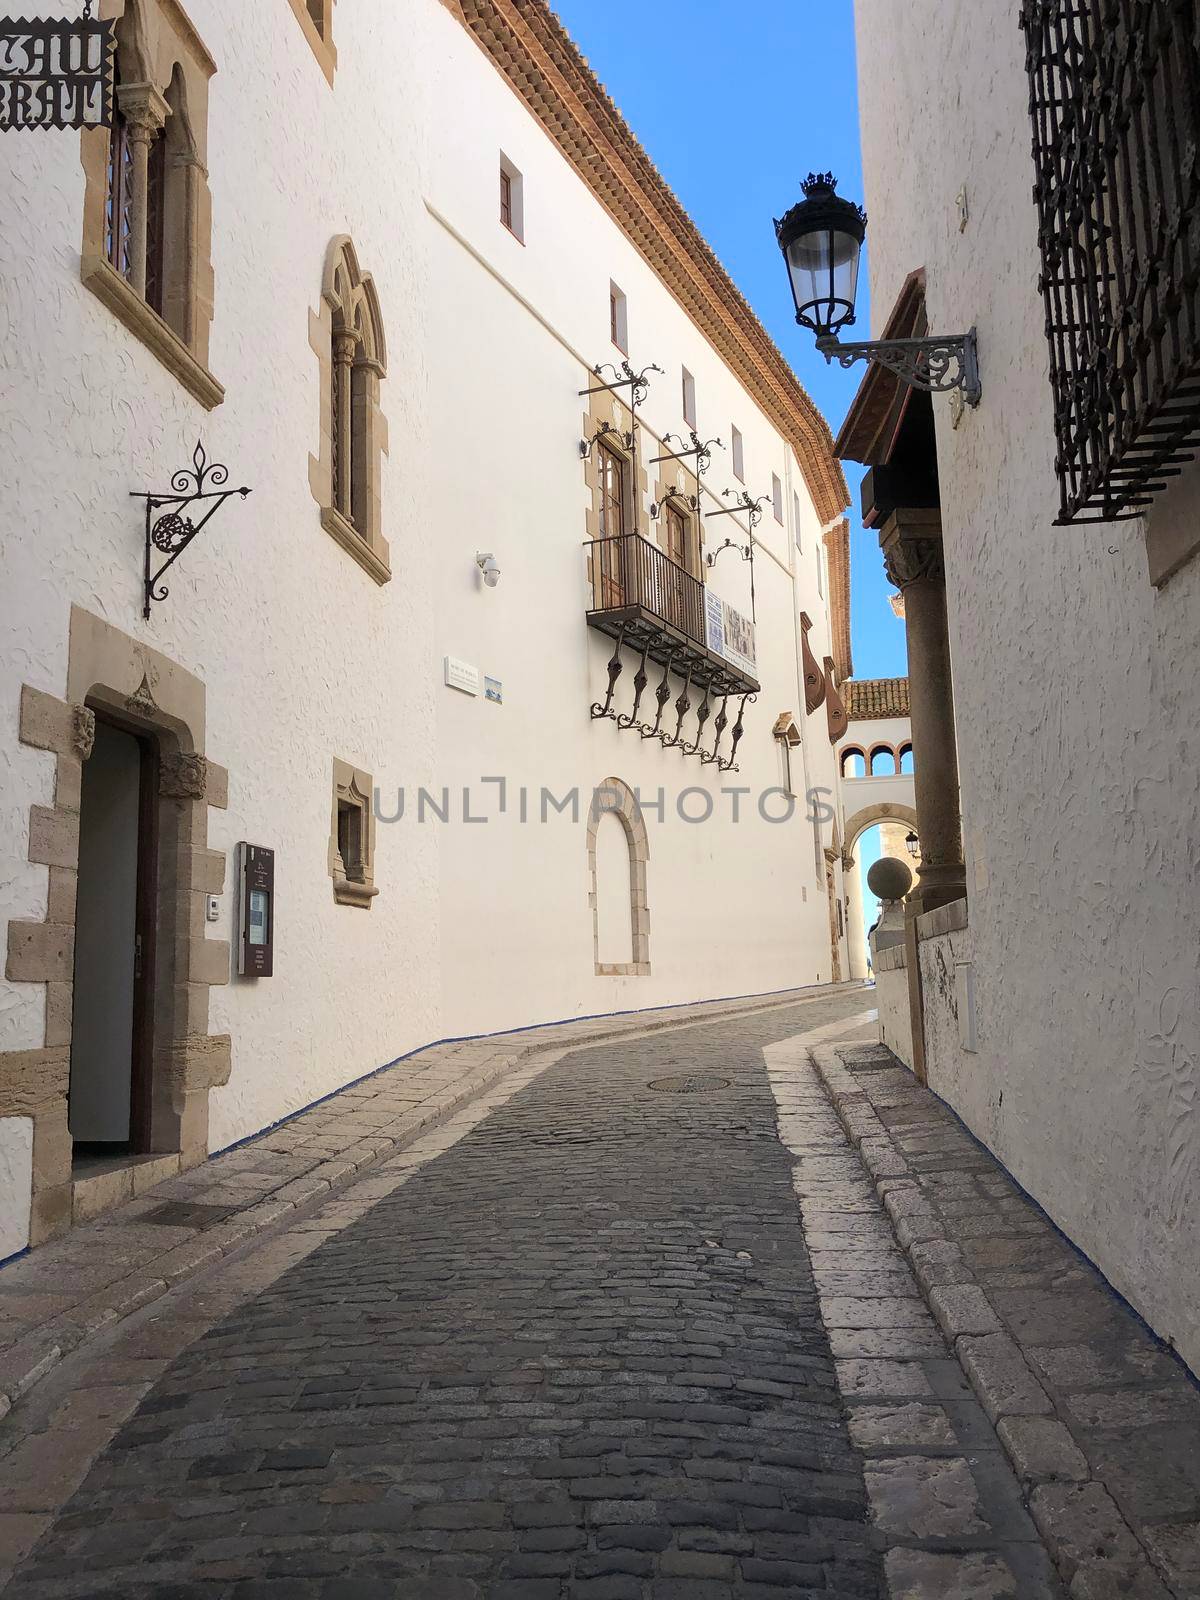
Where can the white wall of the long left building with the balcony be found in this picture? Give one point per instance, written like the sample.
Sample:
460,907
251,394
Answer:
303,657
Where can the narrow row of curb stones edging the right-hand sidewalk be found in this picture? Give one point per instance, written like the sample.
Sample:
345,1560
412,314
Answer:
1098,1554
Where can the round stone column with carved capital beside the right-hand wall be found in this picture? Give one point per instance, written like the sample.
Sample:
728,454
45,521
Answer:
913,554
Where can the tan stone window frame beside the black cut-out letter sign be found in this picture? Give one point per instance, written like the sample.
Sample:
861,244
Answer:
166,73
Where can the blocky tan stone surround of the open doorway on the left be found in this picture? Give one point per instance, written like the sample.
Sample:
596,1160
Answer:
150,694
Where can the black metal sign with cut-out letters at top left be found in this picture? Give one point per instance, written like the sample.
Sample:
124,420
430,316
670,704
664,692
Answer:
57,74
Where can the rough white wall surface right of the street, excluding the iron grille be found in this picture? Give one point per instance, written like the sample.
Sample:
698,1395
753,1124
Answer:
1078,698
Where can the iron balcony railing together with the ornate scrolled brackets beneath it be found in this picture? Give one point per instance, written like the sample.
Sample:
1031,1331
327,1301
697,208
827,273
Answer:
655,609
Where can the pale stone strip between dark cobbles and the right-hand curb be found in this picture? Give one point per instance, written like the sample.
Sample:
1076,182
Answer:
946,1508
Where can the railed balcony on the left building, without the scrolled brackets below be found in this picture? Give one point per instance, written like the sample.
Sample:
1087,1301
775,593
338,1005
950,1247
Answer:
649,602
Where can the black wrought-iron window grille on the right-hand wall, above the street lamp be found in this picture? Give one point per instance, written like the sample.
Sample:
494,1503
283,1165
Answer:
1116,110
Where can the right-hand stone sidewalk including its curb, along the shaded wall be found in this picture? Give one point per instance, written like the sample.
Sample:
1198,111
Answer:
1100,1422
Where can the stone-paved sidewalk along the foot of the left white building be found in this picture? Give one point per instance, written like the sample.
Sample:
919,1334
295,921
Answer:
66,1292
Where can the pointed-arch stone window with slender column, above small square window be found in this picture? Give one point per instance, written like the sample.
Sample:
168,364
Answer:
348,334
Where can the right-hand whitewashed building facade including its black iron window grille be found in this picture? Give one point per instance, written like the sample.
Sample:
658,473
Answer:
1062,1015
